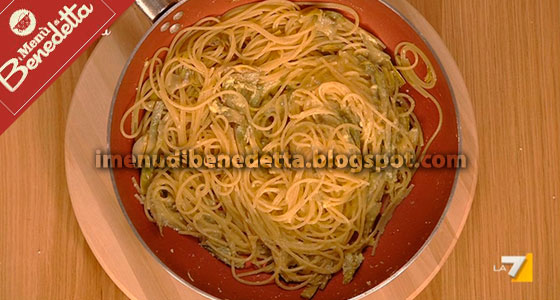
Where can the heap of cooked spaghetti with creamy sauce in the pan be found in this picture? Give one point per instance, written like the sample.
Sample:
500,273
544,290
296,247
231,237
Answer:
278,77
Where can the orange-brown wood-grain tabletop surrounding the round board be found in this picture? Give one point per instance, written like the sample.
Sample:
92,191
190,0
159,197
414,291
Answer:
509,53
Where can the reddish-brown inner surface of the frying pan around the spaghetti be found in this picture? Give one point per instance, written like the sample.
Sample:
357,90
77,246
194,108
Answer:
412,222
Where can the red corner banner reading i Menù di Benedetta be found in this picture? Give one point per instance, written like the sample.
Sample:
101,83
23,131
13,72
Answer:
40,40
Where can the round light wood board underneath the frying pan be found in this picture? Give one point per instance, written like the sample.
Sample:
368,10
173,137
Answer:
106,229
